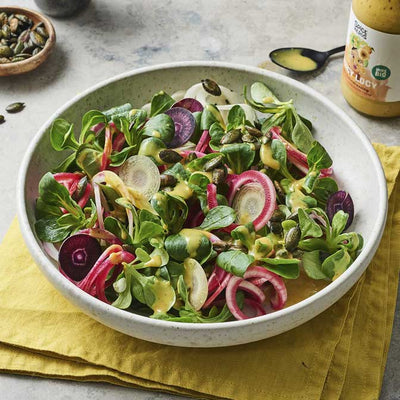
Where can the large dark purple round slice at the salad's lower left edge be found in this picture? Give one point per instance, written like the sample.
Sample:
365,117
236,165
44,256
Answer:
78,254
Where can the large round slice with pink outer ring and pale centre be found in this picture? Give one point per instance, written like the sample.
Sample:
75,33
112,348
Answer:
259,183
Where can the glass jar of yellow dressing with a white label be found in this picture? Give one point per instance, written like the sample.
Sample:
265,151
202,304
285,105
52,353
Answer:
371,69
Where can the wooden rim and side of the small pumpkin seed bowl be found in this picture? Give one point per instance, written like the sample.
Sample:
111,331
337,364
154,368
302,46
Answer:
33,62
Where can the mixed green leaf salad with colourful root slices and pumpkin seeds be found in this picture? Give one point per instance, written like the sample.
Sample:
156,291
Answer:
202,206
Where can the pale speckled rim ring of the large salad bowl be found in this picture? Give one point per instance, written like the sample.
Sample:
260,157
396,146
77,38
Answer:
63,284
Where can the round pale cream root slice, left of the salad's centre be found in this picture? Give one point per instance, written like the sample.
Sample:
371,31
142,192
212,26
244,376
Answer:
141,174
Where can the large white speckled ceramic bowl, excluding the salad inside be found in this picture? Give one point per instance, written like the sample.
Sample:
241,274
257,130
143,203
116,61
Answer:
357,170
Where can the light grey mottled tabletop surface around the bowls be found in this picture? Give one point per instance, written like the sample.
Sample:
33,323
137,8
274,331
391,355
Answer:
111,37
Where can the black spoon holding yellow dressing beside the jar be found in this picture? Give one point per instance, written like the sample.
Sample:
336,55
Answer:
319,57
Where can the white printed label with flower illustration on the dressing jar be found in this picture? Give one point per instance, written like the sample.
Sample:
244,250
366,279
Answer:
371,64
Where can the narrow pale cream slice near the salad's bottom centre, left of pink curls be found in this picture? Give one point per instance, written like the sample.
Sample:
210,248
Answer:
196,280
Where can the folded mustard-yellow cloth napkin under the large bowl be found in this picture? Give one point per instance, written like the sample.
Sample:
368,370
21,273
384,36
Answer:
340,354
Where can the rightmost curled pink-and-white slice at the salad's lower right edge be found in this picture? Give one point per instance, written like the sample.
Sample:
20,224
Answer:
263,275
